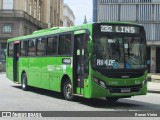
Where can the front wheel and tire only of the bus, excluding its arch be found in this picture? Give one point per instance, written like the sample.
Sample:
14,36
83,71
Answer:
67,91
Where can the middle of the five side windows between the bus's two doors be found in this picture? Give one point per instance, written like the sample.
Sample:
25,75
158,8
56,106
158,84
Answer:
41,47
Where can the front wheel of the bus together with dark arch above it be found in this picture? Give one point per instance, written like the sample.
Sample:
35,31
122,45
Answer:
67,88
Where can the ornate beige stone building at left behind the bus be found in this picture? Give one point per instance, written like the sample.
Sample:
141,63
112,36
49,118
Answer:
22,17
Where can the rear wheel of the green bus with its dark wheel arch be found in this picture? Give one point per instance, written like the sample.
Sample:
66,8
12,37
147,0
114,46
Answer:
24,81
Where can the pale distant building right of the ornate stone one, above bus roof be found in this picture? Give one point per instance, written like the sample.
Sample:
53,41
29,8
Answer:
68,17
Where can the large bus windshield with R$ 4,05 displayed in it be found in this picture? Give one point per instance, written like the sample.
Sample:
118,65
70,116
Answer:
119,52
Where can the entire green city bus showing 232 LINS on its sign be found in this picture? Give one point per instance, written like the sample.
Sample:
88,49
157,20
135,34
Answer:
106,59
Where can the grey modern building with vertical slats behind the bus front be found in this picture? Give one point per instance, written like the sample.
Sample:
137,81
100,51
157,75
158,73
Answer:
144,12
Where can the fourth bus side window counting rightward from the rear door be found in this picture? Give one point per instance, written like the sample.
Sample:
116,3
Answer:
52,46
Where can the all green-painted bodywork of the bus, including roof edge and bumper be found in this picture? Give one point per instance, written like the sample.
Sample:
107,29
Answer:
47,72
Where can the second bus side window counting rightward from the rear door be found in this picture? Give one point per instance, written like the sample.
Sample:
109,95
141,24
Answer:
32,48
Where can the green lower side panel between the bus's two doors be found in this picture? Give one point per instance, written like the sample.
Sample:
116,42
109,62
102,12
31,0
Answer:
45,72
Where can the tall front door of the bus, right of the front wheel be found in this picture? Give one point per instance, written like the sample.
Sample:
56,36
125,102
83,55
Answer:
80,59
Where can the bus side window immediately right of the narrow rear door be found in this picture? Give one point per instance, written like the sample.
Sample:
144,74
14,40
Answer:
24,46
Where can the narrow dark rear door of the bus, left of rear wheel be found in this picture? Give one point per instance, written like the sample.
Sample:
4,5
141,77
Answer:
15,60
